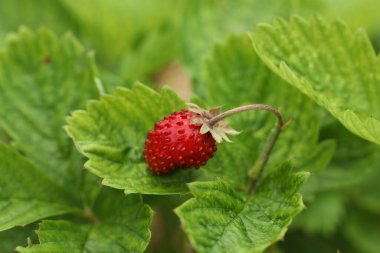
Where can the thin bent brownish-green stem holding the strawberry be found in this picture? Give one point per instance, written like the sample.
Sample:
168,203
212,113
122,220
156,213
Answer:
256,172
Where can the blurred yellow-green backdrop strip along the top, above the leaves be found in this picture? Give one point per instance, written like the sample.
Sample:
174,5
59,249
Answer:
136,39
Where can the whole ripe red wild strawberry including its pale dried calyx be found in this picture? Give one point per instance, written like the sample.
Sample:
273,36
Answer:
183,140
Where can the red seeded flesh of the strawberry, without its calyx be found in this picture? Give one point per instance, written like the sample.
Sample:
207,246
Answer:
175,143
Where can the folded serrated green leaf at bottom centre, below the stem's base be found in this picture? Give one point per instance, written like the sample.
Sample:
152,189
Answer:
220,219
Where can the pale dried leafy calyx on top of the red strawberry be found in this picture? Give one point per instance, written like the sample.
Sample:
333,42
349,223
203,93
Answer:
204,118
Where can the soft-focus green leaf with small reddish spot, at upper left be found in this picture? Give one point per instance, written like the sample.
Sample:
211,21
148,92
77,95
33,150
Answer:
43,78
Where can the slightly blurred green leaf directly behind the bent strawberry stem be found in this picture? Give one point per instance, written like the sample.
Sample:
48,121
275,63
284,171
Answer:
233,76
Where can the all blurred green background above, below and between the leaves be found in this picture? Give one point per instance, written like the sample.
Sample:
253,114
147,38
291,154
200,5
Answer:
165,42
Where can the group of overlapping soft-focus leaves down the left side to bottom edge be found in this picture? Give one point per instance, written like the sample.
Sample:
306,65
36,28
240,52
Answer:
42,79
